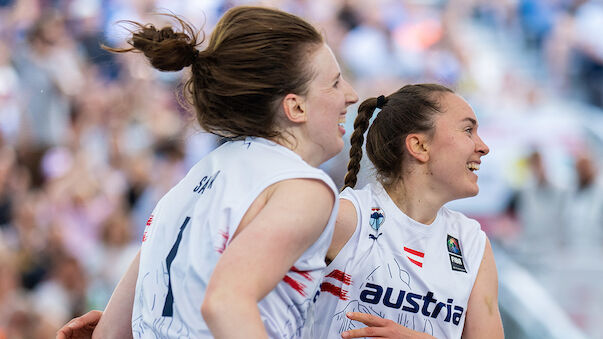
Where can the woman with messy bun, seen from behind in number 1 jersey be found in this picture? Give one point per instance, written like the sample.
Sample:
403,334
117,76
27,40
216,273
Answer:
236,249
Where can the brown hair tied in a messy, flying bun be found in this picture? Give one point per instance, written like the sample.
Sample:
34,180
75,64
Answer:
255,57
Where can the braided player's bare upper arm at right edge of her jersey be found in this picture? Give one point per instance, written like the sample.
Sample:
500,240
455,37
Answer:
483,316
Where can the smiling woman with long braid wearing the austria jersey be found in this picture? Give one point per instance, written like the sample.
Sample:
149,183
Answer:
400,262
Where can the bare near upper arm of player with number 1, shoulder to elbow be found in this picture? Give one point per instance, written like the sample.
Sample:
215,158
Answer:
293,217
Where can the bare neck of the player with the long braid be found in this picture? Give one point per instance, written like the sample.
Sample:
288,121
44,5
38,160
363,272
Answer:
415,199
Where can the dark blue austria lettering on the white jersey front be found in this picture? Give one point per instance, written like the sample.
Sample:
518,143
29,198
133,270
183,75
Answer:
412,302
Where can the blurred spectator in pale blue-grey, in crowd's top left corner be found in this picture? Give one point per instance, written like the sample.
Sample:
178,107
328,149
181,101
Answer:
49,69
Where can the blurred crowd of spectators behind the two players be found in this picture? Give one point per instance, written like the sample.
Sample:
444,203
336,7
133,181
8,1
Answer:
89,141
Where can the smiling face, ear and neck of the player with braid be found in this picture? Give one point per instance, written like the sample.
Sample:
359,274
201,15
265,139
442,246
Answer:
440,165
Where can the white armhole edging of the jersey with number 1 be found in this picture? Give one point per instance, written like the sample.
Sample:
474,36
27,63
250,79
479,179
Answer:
243,207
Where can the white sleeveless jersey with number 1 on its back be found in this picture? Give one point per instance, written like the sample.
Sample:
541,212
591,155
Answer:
192,225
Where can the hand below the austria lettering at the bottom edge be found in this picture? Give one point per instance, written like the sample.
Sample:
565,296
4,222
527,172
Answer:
380,328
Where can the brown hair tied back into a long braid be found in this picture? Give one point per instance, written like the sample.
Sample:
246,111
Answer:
409,110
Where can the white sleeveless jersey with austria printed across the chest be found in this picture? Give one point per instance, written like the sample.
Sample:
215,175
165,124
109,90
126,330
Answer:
417,275
